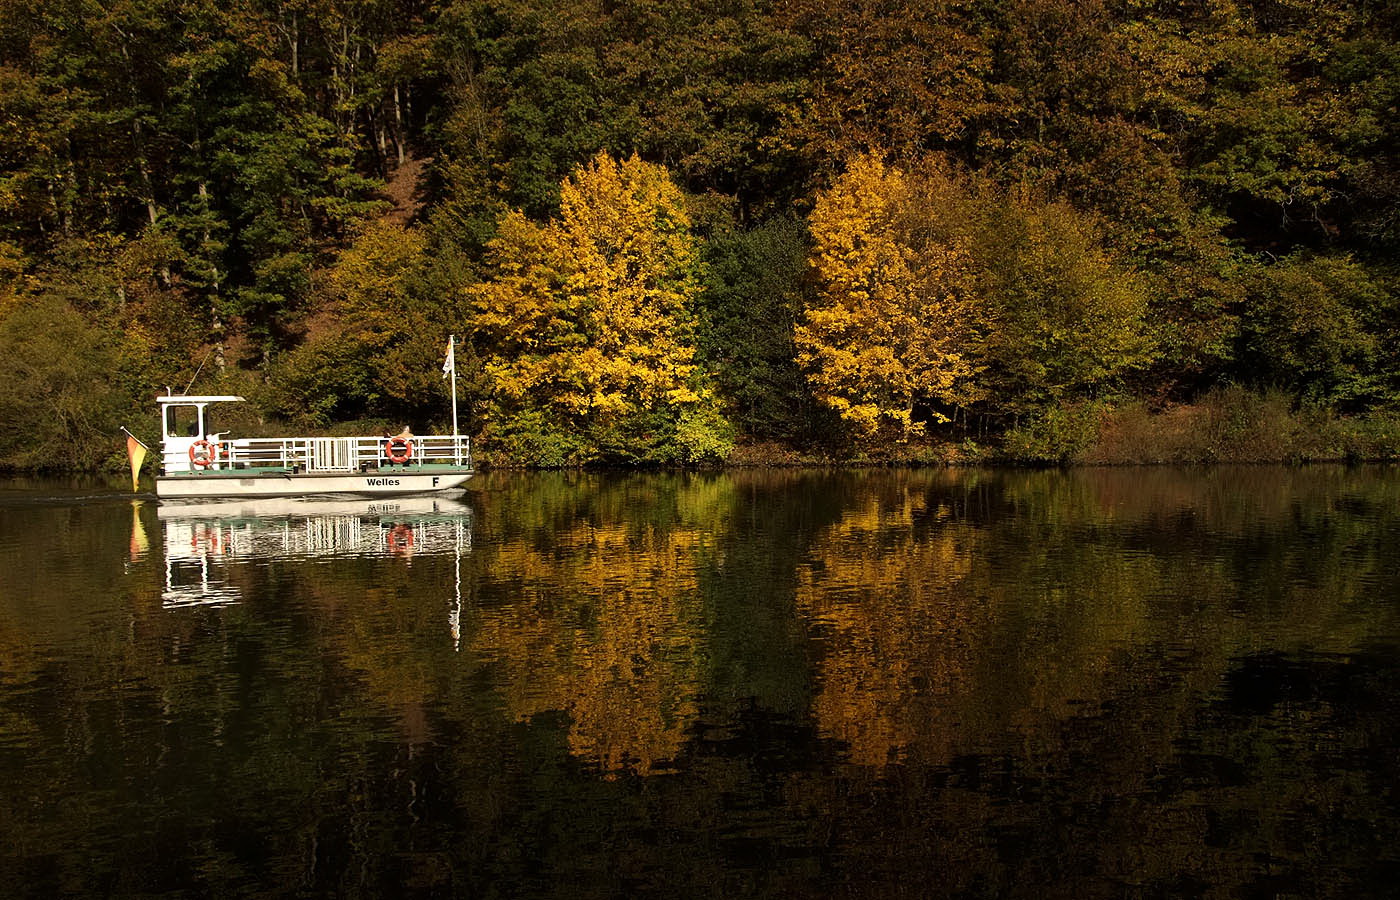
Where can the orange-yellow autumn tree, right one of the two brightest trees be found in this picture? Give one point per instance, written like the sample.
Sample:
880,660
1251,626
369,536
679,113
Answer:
888,335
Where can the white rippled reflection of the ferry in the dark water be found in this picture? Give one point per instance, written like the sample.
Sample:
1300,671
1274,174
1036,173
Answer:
204,538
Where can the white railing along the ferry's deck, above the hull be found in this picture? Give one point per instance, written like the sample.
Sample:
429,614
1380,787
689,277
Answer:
356,454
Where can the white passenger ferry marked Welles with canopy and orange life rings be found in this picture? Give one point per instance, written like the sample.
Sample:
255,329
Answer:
198,461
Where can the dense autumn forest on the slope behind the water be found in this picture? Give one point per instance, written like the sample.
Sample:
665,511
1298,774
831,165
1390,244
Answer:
709,230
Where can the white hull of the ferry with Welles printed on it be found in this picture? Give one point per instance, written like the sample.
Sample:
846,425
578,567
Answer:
288,485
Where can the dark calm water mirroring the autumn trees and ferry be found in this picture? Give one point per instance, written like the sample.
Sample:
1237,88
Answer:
1101,684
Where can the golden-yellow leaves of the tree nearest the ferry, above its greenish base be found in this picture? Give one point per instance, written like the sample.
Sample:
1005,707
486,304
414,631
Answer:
589,314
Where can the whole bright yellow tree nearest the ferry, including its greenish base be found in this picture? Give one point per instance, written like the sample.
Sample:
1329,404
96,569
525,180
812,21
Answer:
586,324
